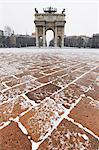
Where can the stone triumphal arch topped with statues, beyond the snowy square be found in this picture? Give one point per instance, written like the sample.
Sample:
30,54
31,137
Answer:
50,20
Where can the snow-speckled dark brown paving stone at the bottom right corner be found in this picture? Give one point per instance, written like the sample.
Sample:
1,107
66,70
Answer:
68,136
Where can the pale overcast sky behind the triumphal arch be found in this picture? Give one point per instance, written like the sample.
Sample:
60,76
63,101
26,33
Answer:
82,16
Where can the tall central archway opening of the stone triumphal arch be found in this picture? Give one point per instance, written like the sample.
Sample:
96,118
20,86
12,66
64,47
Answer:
50,37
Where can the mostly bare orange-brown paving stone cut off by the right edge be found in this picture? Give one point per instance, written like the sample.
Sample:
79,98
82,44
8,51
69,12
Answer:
86,112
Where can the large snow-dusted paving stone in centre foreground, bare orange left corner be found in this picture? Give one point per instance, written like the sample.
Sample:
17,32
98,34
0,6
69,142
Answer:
40,120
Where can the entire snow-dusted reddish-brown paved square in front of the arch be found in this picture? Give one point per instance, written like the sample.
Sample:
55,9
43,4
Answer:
50,99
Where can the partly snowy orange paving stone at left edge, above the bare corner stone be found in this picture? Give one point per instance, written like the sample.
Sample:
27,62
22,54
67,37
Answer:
13,108
